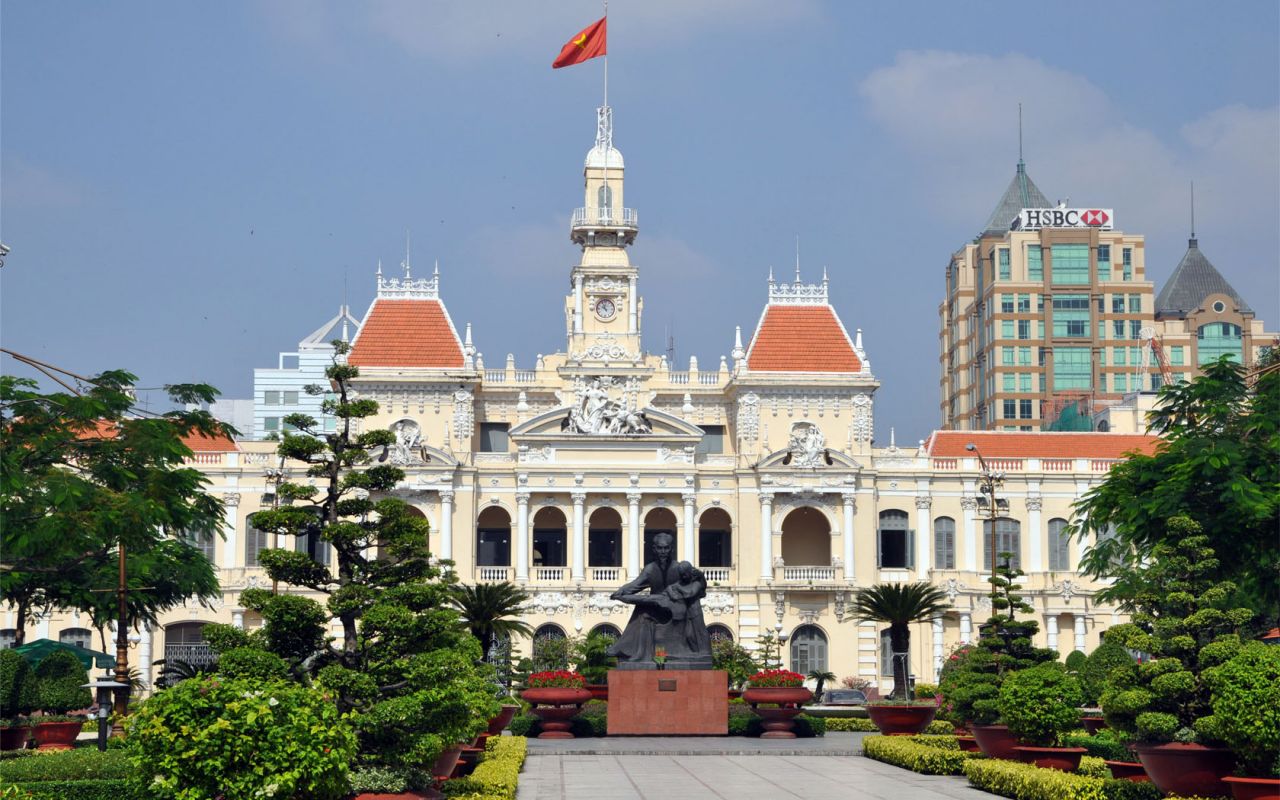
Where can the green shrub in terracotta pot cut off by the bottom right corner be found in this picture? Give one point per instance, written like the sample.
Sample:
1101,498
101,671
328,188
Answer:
1246,701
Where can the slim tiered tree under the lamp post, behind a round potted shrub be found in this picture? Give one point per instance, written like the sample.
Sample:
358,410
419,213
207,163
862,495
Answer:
971,688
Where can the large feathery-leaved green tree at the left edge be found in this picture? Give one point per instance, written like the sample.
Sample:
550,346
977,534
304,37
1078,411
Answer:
81,476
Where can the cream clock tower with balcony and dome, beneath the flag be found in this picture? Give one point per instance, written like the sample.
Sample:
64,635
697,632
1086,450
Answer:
604,310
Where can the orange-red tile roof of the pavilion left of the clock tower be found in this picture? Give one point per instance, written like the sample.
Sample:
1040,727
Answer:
408,333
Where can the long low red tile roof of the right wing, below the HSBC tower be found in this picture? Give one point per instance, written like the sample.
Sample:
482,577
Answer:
1052,445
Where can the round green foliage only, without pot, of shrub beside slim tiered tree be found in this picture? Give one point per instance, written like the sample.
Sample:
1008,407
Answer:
1041,705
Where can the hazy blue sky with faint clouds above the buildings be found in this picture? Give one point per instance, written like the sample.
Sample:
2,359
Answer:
190,189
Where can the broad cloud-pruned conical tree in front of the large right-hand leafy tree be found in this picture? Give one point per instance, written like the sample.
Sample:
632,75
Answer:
1182,618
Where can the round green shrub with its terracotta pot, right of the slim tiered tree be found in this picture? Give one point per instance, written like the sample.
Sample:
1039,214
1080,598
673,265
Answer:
1040,706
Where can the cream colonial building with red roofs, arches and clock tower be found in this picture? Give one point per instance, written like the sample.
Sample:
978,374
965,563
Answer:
559,476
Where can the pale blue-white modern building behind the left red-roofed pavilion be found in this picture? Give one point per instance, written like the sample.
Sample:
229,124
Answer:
282,391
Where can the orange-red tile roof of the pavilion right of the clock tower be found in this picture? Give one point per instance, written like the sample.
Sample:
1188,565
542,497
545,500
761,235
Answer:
802,340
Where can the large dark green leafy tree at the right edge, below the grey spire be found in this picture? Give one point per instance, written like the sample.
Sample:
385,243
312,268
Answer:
1218,464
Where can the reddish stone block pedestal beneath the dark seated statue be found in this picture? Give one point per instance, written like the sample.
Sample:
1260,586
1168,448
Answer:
669,703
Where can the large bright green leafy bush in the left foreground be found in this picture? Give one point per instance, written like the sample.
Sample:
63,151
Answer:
237,739
